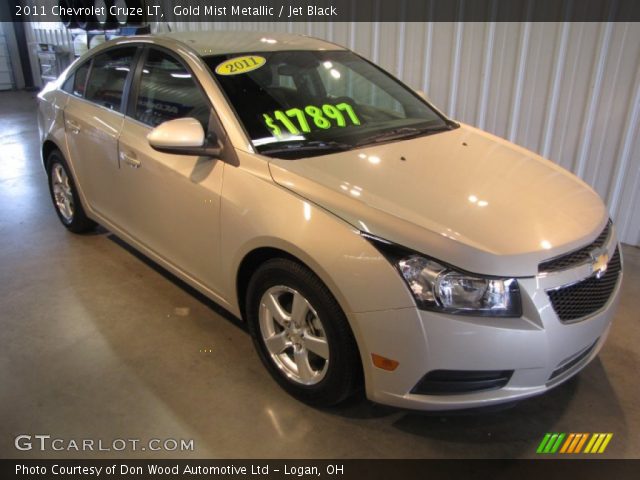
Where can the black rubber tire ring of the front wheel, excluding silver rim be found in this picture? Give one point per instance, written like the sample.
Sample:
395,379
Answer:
341,378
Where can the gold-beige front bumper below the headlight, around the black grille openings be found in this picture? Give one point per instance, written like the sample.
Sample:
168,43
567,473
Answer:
541,350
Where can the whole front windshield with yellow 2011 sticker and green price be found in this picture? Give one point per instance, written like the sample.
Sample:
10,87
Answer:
295,104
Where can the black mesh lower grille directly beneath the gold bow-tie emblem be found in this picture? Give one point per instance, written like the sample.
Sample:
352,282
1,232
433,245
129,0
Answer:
588,296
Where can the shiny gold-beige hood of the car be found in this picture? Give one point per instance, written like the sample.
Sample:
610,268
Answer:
463,196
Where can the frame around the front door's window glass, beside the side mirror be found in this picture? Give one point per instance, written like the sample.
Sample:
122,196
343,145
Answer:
214,125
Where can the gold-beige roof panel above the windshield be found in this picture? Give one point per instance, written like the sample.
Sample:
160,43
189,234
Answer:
216,43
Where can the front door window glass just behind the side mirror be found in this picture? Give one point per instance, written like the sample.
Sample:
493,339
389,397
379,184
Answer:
167,92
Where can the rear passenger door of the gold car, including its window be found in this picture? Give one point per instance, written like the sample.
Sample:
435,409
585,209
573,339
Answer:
94,117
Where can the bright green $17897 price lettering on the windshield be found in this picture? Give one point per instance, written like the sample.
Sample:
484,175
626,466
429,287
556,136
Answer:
296,120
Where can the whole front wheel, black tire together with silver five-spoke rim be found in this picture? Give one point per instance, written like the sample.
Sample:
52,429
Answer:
312,356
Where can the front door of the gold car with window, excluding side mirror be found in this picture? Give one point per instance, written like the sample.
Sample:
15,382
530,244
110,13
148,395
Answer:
172,201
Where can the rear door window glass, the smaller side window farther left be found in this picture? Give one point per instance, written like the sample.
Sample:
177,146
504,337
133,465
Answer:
108,76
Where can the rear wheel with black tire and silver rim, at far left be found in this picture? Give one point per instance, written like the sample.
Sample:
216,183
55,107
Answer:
64,195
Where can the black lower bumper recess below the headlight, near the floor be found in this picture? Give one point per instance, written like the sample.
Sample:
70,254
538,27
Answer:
456,382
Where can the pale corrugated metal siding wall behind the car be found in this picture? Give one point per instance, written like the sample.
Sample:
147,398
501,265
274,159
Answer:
569,91
